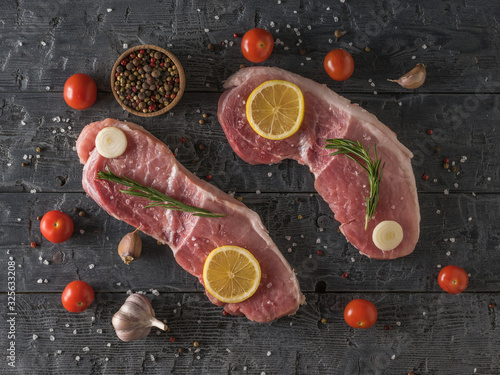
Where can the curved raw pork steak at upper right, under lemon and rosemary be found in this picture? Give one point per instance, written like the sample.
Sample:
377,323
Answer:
341,182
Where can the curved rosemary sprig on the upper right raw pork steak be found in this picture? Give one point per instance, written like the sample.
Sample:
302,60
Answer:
352,150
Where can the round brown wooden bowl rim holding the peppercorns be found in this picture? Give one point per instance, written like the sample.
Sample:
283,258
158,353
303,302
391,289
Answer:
175,61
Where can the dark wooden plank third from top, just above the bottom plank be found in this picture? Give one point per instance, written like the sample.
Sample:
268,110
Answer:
456,229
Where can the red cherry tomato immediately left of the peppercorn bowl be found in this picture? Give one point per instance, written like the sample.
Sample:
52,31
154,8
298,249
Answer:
80,91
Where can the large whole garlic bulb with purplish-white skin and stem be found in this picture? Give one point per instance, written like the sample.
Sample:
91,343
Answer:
135,318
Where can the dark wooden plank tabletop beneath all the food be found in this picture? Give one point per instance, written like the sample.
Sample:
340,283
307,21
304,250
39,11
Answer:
420,328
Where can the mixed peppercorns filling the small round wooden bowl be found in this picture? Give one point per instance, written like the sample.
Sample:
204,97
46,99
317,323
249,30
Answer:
147,80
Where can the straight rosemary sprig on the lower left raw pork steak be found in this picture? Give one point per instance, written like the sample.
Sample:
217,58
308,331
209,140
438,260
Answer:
159,199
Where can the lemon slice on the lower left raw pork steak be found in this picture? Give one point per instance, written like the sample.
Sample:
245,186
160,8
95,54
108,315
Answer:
231,274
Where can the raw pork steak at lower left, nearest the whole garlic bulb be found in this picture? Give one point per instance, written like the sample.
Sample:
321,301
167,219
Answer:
191,238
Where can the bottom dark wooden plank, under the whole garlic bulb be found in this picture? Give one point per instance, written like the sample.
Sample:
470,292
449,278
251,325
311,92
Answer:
429,333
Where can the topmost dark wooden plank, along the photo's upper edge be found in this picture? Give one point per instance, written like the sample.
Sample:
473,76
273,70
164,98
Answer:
44,43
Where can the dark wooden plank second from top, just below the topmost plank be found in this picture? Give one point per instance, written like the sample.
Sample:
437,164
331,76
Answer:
467,138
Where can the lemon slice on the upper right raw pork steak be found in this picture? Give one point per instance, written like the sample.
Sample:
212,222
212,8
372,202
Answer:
275,109
